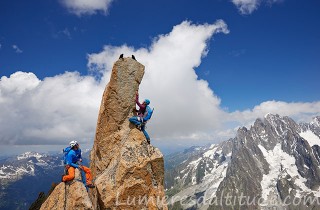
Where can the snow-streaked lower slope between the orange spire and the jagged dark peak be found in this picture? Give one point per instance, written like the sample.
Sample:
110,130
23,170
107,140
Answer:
199,168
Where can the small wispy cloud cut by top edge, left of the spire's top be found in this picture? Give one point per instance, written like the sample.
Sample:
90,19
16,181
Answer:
85,7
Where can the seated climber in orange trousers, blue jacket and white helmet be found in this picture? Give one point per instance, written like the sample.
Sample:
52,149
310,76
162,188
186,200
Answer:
72,158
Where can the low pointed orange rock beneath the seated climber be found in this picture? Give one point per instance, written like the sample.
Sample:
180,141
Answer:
69,196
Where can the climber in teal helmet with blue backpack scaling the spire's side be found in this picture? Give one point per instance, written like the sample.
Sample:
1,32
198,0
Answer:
143,115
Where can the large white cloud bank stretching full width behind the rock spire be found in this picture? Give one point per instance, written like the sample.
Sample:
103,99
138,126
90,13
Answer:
187,112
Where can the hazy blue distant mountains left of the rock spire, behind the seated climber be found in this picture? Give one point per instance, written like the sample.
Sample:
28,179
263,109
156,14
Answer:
24,176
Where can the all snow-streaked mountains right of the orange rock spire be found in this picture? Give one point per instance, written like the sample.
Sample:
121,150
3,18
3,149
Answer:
275,163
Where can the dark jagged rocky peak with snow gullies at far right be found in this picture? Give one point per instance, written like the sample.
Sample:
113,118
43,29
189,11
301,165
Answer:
272,152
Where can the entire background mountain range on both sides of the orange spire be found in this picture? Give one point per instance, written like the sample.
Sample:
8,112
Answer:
274,164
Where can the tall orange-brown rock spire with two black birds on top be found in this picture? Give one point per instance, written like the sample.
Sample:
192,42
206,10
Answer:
129,172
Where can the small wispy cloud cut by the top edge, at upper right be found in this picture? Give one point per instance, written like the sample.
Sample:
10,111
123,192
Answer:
248,6
